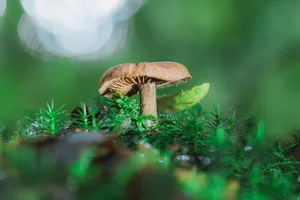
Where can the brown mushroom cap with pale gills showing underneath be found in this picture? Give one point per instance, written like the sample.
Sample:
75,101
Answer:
125,77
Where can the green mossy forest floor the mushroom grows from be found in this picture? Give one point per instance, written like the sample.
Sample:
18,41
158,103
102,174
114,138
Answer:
208,155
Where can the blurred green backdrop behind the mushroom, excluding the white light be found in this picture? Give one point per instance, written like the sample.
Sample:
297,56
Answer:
248,50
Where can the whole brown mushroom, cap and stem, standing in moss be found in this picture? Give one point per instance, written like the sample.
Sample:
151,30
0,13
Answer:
143,78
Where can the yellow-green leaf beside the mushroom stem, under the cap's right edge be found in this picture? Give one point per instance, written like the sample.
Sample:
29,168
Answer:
184,99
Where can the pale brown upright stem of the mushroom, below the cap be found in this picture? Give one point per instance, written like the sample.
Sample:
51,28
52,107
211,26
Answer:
148,99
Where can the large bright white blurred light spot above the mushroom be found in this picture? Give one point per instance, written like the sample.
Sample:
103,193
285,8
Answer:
77,29
